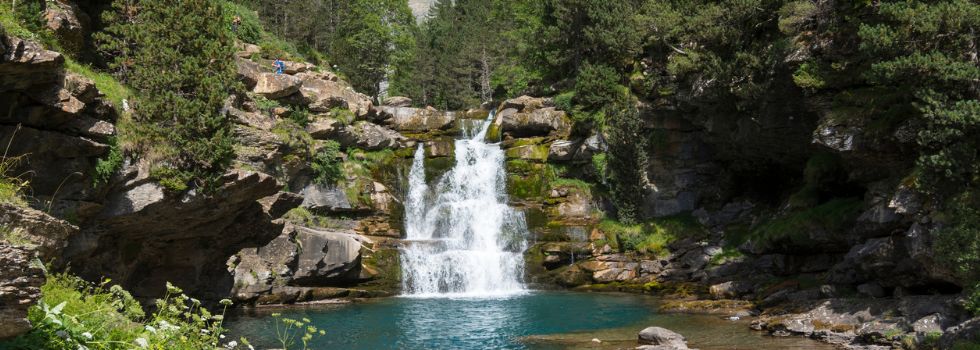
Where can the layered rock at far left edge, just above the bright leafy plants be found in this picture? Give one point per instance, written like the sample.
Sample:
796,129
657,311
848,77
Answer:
20,287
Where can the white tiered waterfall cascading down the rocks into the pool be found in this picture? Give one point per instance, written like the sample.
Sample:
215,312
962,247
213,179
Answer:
462,238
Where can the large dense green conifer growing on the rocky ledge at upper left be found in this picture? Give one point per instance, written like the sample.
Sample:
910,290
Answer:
182,63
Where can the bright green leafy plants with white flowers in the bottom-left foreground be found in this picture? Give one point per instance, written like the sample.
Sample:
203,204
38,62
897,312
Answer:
75,314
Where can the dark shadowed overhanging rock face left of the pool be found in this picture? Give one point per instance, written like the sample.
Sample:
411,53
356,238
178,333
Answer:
145,237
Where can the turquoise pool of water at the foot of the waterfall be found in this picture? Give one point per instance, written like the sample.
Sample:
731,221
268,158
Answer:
537,320
